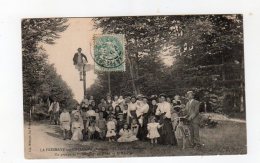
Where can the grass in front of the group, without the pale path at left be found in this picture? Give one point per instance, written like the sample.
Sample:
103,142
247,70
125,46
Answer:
226,138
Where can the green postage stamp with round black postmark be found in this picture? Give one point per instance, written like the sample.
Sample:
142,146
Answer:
109,52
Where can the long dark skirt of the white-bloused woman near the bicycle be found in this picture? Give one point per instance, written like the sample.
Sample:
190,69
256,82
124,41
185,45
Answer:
167,135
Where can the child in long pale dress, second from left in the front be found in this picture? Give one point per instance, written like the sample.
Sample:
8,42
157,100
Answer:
76,129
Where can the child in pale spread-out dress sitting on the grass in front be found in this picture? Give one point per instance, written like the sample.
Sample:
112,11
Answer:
126,135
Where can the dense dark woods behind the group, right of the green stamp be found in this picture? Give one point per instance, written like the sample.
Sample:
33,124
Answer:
207,51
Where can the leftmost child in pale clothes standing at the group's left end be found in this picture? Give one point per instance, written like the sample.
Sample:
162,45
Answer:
65,123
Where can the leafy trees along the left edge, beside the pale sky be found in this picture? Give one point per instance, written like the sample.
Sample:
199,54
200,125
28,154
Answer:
39,78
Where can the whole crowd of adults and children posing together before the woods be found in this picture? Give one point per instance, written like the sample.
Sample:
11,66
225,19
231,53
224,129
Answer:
131,118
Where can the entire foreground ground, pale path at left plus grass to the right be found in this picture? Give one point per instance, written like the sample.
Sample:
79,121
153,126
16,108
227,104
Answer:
226,138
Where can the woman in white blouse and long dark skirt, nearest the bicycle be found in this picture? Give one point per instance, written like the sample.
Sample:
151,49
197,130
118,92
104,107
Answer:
167,135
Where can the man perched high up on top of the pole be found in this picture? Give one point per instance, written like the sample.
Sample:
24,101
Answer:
79,60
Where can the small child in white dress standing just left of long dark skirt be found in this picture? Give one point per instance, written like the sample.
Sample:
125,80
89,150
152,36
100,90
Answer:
152,128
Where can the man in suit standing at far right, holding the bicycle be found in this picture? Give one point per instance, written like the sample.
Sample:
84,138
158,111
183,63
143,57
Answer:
192,110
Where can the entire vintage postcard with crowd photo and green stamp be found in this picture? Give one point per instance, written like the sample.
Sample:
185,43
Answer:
132,86
